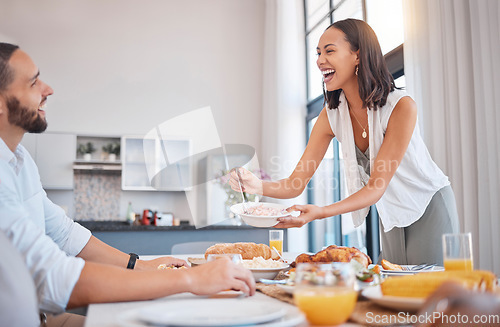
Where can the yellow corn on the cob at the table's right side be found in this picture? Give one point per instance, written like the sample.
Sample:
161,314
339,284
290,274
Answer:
422,285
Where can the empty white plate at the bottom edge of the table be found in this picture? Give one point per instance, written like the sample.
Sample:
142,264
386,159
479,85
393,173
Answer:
210,312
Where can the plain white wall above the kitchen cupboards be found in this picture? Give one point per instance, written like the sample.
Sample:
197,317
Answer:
124,66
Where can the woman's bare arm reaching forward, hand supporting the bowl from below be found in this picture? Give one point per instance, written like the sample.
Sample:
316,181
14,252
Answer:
398,135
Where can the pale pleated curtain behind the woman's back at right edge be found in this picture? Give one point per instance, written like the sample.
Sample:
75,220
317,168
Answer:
452,70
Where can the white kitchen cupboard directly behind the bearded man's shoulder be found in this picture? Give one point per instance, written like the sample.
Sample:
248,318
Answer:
54,155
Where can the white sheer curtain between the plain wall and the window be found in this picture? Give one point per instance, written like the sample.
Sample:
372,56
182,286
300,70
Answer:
284,98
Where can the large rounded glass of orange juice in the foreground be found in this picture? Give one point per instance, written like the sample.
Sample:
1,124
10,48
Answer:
325,292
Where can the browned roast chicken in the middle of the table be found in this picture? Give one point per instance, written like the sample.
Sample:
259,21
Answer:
335,253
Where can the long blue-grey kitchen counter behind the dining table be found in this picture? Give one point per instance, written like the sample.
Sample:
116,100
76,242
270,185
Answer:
158,240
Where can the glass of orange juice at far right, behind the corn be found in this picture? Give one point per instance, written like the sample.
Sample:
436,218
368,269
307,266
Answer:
457,252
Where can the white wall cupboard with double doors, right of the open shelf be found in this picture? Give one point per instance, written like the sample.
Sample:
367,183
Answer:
154,164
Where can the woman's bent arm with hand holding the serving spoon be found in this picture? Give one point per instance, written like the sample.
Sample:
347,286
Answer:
294,185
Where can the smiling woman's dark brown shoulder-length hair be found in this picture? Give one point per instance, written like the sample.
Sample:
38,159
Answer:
374,79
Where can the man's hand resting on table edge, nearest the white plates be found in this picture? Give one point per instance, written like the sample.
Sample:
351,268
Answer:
218,276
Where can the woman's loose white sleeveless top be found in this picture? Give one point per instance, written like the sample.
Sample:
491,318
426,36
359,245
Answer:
415,181
